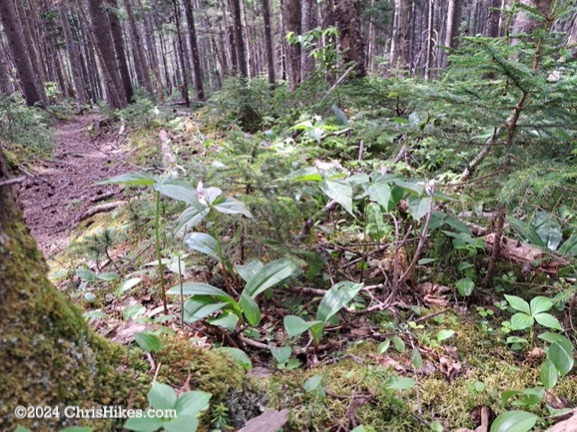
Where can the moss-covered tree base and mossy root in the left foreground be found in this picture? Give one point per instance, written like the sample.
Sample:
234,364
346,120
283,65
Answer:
50,357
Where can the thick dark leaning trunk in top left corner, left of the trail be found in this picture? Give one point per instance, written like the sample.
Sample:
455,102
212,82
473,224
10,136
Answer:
32,86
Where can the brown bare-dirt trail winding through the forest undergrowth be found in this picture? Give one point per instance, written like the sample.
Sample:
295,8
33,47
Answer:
62,189
